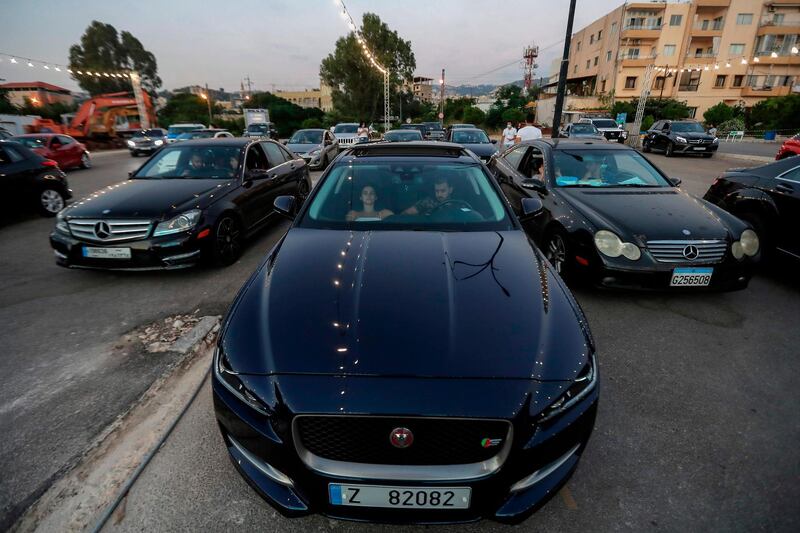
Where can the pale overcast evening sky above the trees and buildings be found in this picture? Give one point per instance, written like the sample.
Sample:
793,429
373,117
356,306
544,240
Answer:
280,43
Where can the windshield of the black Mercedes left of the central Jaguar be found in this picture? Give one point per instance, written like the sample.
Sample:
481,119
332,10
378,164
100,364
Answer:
198,162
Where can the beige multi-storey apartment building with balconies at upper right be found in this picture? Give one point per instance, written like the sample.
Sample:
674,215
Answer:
703,51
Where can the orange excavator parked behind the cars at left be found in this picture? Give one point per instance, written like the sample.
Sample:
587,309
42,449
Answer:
101,120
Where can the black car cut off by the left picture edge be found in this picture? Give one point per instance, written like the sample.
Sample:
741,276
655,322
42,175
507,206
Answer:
30,180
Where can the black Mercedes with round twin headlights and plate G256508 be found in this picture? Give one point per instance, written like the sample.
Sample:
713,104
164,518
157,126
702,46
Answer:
611,218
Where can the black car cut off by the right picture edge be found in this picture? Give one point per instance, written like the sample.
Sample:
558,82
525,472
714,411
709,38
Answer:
766,197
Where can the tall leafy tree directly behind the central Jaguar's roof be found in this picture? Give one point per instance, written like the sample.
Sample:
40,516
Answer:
357,86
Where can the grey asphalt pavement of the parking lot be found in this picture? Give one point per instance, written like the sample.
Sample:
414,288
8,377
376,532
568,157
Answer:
696,429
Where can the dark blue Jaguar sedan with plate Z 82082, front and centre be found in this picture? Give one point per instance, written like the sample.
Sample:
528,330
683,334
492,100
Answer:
405,353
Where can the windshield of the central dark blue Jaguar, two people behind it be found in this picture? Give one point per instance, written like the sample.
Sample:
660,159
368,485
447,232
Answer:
407,195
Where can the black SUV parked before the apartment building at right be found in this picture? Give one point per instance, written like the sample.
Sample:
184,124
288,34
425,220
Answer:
680,137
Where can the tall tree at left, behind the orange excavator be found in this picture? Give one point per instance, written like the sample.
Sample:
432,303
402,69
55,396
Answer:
103,50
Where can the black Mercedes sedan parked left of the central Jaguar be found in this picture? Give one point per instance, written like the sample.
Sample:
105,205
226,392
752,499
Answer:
190,201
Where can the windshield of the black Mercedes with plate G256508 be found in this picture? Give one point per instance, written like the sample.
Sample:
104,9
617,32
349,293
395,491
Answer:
605,168
